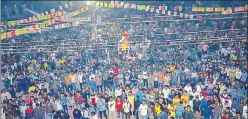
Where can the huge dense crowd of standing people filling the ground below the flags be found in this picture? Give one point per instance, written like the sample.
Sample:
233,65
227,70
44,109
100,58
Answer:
183,81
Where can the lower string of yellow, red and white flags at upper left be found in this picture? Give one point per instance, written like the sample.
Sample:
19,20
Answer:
43,26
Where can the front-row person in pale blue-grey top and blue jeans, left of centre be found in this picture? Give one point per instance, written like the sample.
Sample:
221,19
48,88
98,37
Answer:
102,107
